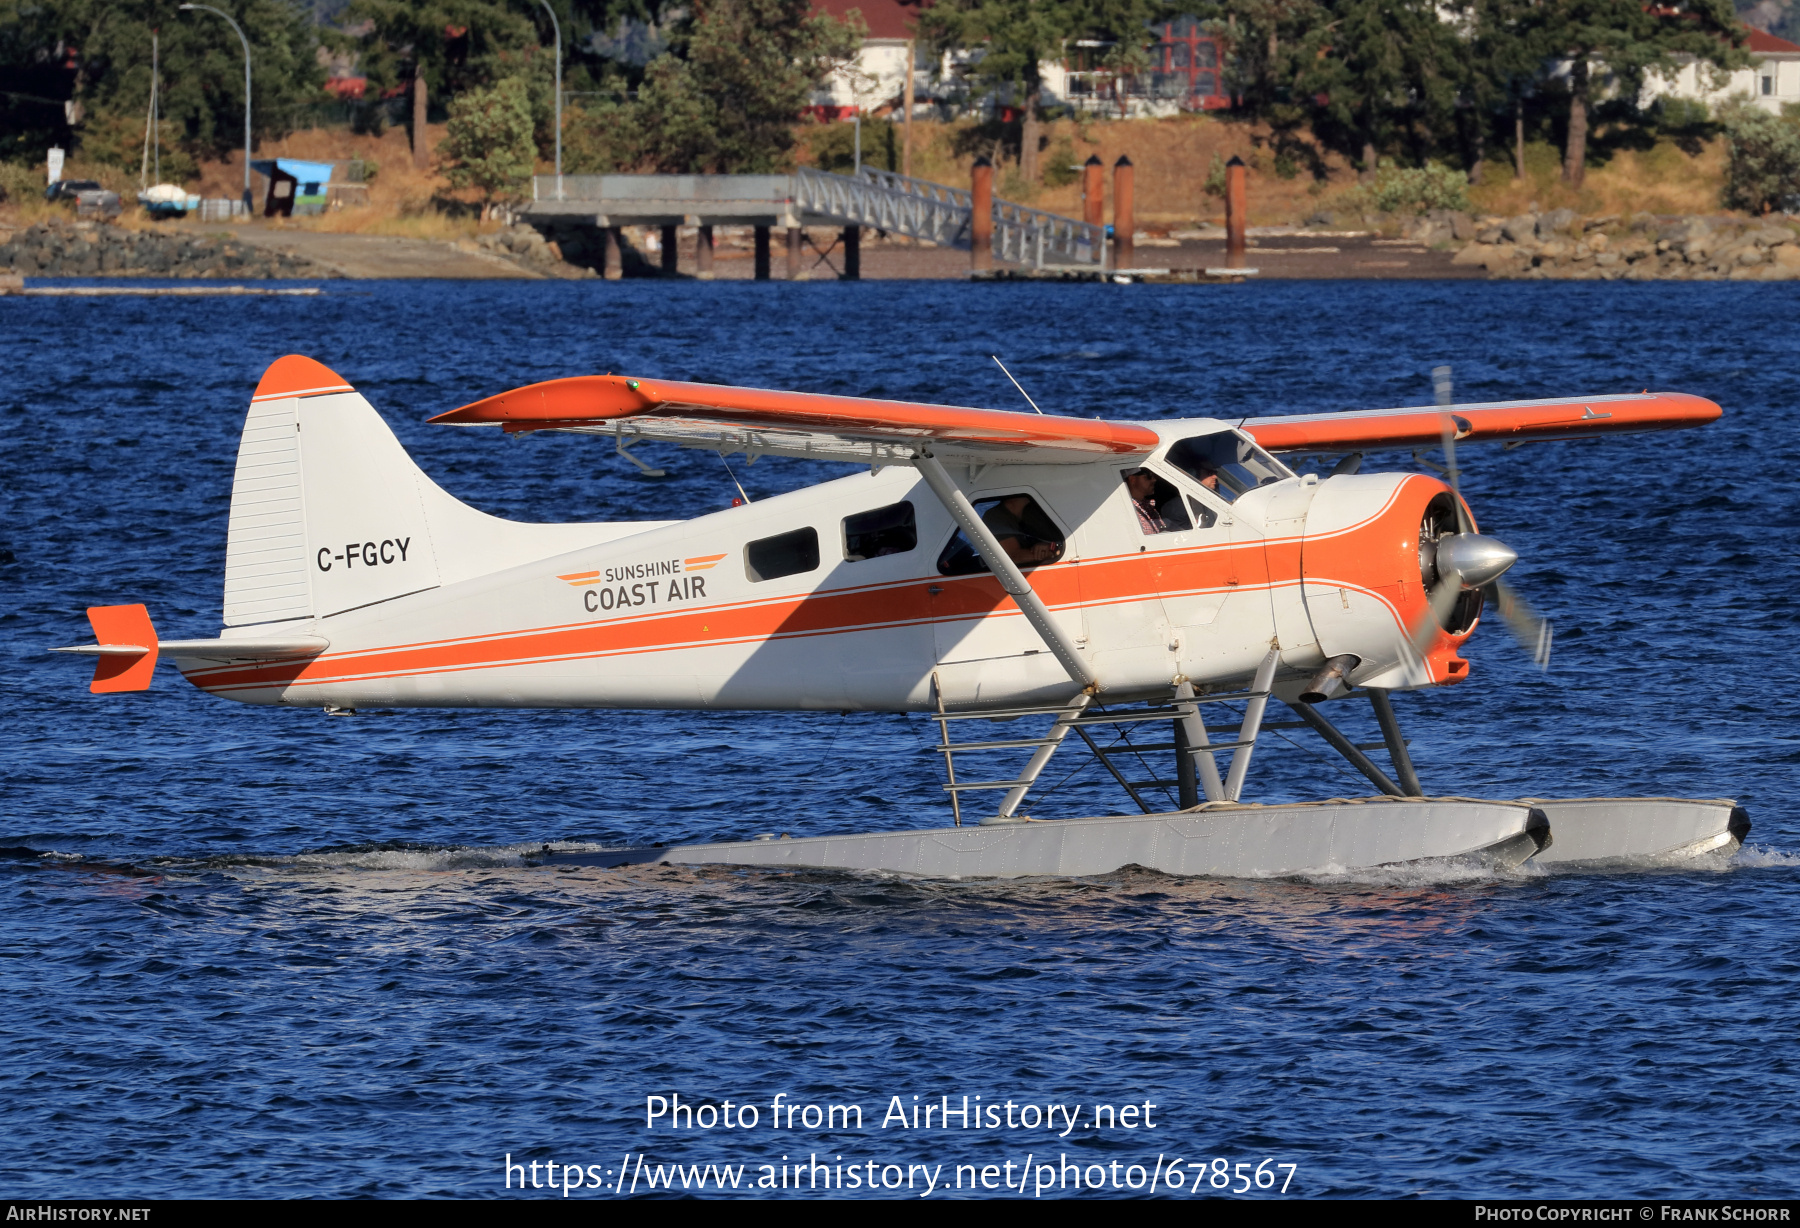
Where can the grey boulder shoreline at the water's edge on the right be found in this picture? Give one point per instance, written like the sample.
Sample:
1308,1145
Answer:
1563,246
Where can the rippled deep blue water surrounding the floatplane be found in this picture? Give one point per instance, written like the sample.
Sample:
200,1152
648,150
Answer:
273,953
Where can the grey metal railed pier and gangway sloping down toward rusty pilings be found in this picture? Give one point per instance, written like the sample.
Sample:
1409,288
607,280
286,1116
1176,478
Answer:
885,201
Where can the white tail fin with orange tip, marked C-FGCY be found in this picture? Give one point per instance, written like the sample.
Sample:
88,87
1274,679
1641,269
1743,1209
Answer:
328,514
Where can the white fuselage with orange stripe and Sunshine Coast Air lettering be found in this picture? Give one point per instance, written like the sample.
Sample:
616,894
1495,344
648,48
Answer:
724,611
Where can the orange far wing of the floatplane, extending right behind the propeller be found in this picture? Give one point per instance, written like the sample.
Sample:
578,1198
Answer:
1515,422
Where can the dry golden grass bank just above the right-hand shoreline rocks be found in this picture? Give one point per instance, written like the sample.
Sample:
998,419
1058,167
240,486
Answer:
1660,179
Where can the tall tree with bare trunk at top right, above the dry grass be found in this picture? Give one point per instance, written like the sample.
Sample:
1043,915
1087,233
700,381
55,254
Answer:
1624,42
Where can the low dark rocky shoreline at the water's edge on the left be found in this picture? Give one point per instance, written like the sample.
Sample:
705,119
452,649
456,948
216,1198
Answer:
98,249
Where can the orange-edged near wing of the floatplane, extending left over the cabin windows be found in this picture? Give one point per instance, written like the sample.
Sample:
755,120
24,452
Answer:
802,424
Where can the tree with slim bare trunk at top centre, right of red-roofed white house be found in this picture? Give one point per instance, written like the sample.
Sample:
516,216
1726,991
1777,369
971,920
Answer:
1018,37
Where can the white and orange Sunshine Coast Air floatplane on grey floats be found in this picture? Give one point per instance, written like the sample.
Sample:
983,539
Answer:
987,566
